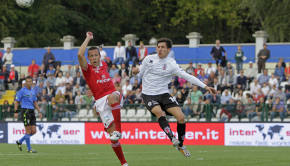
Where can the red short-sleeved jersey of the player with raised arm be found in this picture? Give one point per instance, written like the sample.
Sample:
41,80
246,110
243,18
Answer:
99,80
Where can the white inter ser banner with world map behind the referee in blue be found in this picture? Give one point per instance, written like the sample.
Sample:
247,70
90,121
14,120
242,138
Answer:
50,133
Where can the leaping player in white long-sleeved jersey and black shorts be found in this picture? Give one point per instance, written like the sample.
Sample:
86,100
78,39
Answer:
156,72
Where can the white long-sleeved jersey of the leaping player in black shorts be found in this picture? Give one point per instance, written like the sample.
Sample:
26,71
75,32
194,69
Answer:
156,74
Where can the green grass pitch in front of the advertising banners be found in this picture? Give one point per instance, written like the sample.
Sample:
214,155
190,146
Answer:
144,155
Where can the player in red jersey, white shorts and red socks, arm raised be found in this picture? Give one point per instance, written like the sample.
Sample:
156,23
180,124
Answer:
107,99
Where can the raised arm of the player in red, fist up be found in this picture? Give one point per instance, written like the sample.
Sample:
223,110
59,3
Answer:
82,50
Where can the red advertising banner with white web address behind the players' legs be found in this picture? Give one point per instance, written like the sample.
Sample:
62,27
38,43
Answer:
151,133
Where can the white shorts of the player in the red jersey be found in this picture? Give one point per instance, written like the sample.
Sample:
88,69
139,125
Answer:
105,110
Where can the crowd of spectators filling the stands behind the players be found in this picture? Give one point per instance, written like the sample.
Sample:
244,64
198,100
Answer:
241,93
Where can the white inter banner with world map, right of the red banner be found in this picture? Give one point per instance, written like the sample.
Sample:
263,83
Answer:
257,134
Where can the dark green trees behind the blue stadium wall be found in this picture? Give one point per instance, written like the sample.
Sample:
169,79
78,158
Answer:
46,22
